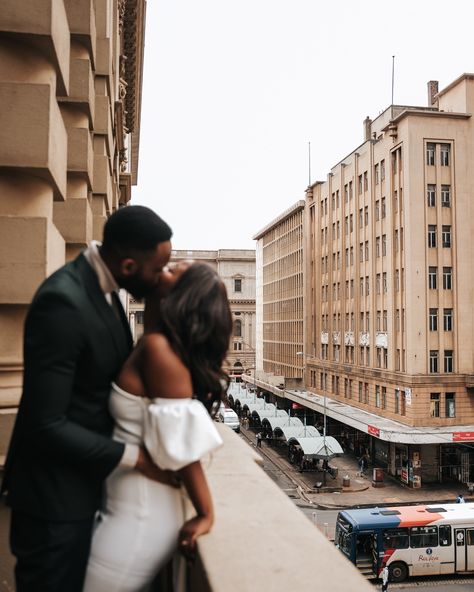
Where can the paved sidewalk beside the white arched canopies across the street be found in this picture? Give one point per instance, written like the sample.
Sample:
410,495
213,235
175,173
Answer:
360,493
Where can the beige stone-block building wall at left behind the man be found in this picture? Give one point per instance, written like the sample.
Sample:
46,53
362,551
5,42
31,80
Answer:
70,90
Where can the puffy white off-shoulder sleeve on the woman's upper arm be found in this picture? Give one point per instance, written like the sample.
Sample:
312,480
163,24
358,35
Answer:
178,432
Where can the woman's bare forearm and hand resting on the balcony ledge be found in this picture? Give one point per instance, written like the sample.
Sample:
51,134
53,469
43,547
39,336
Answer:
196,485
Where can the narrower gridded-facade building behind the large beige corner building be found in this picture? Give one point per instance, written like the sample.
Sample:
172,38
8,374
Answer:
280,296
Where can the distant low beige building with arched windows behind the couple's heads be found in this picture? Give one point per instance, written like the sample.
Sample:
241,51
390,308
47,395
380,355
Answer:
237,270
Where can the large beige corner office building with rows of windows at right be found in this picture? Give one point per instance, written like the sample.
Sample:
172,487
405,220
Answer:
390,279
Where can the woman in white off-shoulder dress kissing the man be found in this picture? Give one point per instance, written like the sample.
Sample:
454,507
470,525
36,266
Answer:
162,399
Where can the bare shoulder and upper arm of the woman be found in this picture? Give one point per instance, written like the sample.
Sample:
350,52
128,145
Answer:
165,373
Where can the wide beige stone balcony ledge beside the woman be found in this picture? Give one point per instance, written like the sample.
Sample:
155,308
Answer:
260,540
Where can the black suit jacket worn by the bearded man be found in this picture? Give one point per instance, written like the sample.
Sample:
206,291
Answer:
61,450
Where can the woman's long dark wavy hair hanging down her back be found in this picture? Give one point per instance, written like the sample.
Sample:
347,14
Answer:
196,319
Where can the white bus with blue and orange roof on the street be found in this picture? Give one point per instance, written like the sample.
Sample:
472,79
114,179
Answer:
415,540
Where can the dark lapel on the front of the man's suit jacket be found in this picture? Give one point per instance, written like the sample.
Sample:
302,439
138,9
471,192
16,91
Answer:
118,328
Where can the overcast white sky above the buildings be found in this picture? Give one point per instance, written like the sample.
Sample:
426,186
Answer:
234,91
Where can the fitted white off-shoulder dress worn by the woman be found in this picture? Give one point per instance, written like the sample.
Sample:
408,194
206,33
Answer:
138,530
